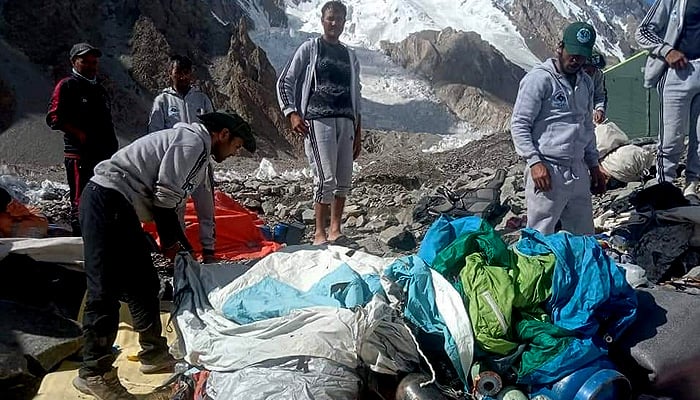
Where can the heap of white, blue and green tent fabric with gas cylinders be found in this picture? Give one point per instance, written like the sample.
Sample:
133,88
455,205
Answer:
467,316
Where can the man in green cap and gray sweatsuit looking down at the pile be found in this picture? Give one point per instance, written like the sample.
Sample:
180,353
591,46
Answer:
552,129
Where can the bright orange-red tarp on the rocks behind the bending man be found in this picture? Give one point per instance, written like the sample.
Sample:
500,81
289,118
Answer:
238,235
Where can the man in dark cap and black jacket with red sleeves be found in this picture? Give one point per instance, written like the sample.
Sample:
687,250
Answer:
79,108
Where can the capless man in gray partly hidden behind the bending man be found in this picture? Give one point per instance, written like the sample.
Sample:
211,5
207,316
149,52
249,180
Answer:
183,102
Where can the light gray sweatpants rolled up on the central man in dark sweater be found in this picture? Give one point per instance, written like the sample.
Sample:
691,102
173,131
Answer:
328,146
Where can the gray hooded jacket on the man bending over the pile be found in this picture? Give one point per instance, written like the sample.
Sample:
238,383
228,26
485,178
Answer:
158,170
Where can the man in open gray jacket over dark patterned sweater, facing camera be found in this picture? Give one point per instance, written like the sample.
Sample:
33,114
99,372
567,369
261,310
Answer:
319,91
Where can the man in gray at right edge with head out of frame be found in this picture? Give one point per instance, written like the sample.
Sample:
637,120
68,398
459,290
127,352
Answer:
671,33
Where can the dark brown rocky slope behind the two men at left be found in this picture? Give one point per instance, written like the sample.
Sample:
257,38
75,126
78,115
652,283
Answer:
137,38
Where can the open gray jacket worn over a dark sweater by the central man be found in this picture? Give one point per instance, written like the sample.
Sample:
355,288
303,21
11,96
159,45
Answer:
298,78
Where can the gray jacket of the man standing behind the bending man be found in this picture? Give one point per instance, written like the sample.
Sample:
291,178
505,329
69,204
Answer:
169,108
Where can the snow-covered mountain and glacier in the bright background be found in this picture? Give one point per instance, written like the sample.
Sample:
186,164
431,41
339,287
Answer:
524,31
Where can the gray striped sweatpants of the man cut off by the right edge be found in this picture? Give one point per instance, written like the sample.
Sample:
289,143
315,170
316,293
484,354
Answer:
679,95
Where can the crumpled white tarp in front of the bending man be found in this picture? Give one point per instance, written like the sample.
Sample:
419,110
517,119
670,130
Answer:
373,334
